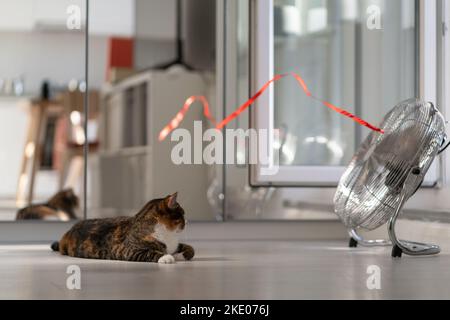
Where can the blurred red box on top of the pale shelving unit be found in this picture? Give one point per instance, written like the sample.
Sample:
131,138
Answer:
120,54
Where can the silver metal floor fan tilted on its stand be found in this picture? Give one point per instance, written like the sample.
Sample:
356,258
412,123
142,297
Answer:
387,170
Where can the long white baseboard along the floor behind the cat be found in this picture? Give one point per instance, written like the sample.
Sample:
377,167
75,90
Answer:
45,232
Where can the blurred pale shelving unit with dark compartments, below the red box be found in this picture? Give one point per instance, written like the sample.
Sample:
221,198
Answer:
132,166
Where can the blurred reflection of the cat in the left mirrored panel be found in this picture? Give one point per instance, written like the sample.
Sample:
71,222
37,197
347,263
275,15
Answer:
61,207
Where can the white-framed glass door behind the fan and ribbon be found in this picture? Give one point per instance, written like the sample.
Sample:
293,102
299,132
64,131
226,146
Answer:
362,56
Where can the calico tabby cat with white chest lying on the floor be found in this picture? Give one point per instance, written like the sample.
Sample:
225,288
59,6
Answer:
150,236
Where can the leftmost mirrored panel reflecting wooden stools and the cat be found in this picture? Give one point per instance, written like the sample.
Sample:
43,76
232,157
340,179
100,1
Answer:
41,109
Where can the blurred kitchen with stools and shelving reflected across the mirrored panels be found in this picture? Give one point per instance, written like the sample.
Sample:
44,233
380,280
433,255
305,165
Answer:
139,76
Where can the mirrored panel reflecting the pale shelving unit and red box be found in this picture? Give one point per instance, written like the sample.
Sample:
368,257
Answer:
143,67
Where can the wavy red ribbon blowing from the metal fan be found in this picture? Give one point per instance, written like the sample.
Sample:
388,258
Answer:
175,122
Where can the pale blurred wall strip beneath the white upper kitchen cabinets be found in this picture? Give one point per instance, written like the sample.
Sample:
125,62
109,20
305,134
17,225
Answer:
55,56
